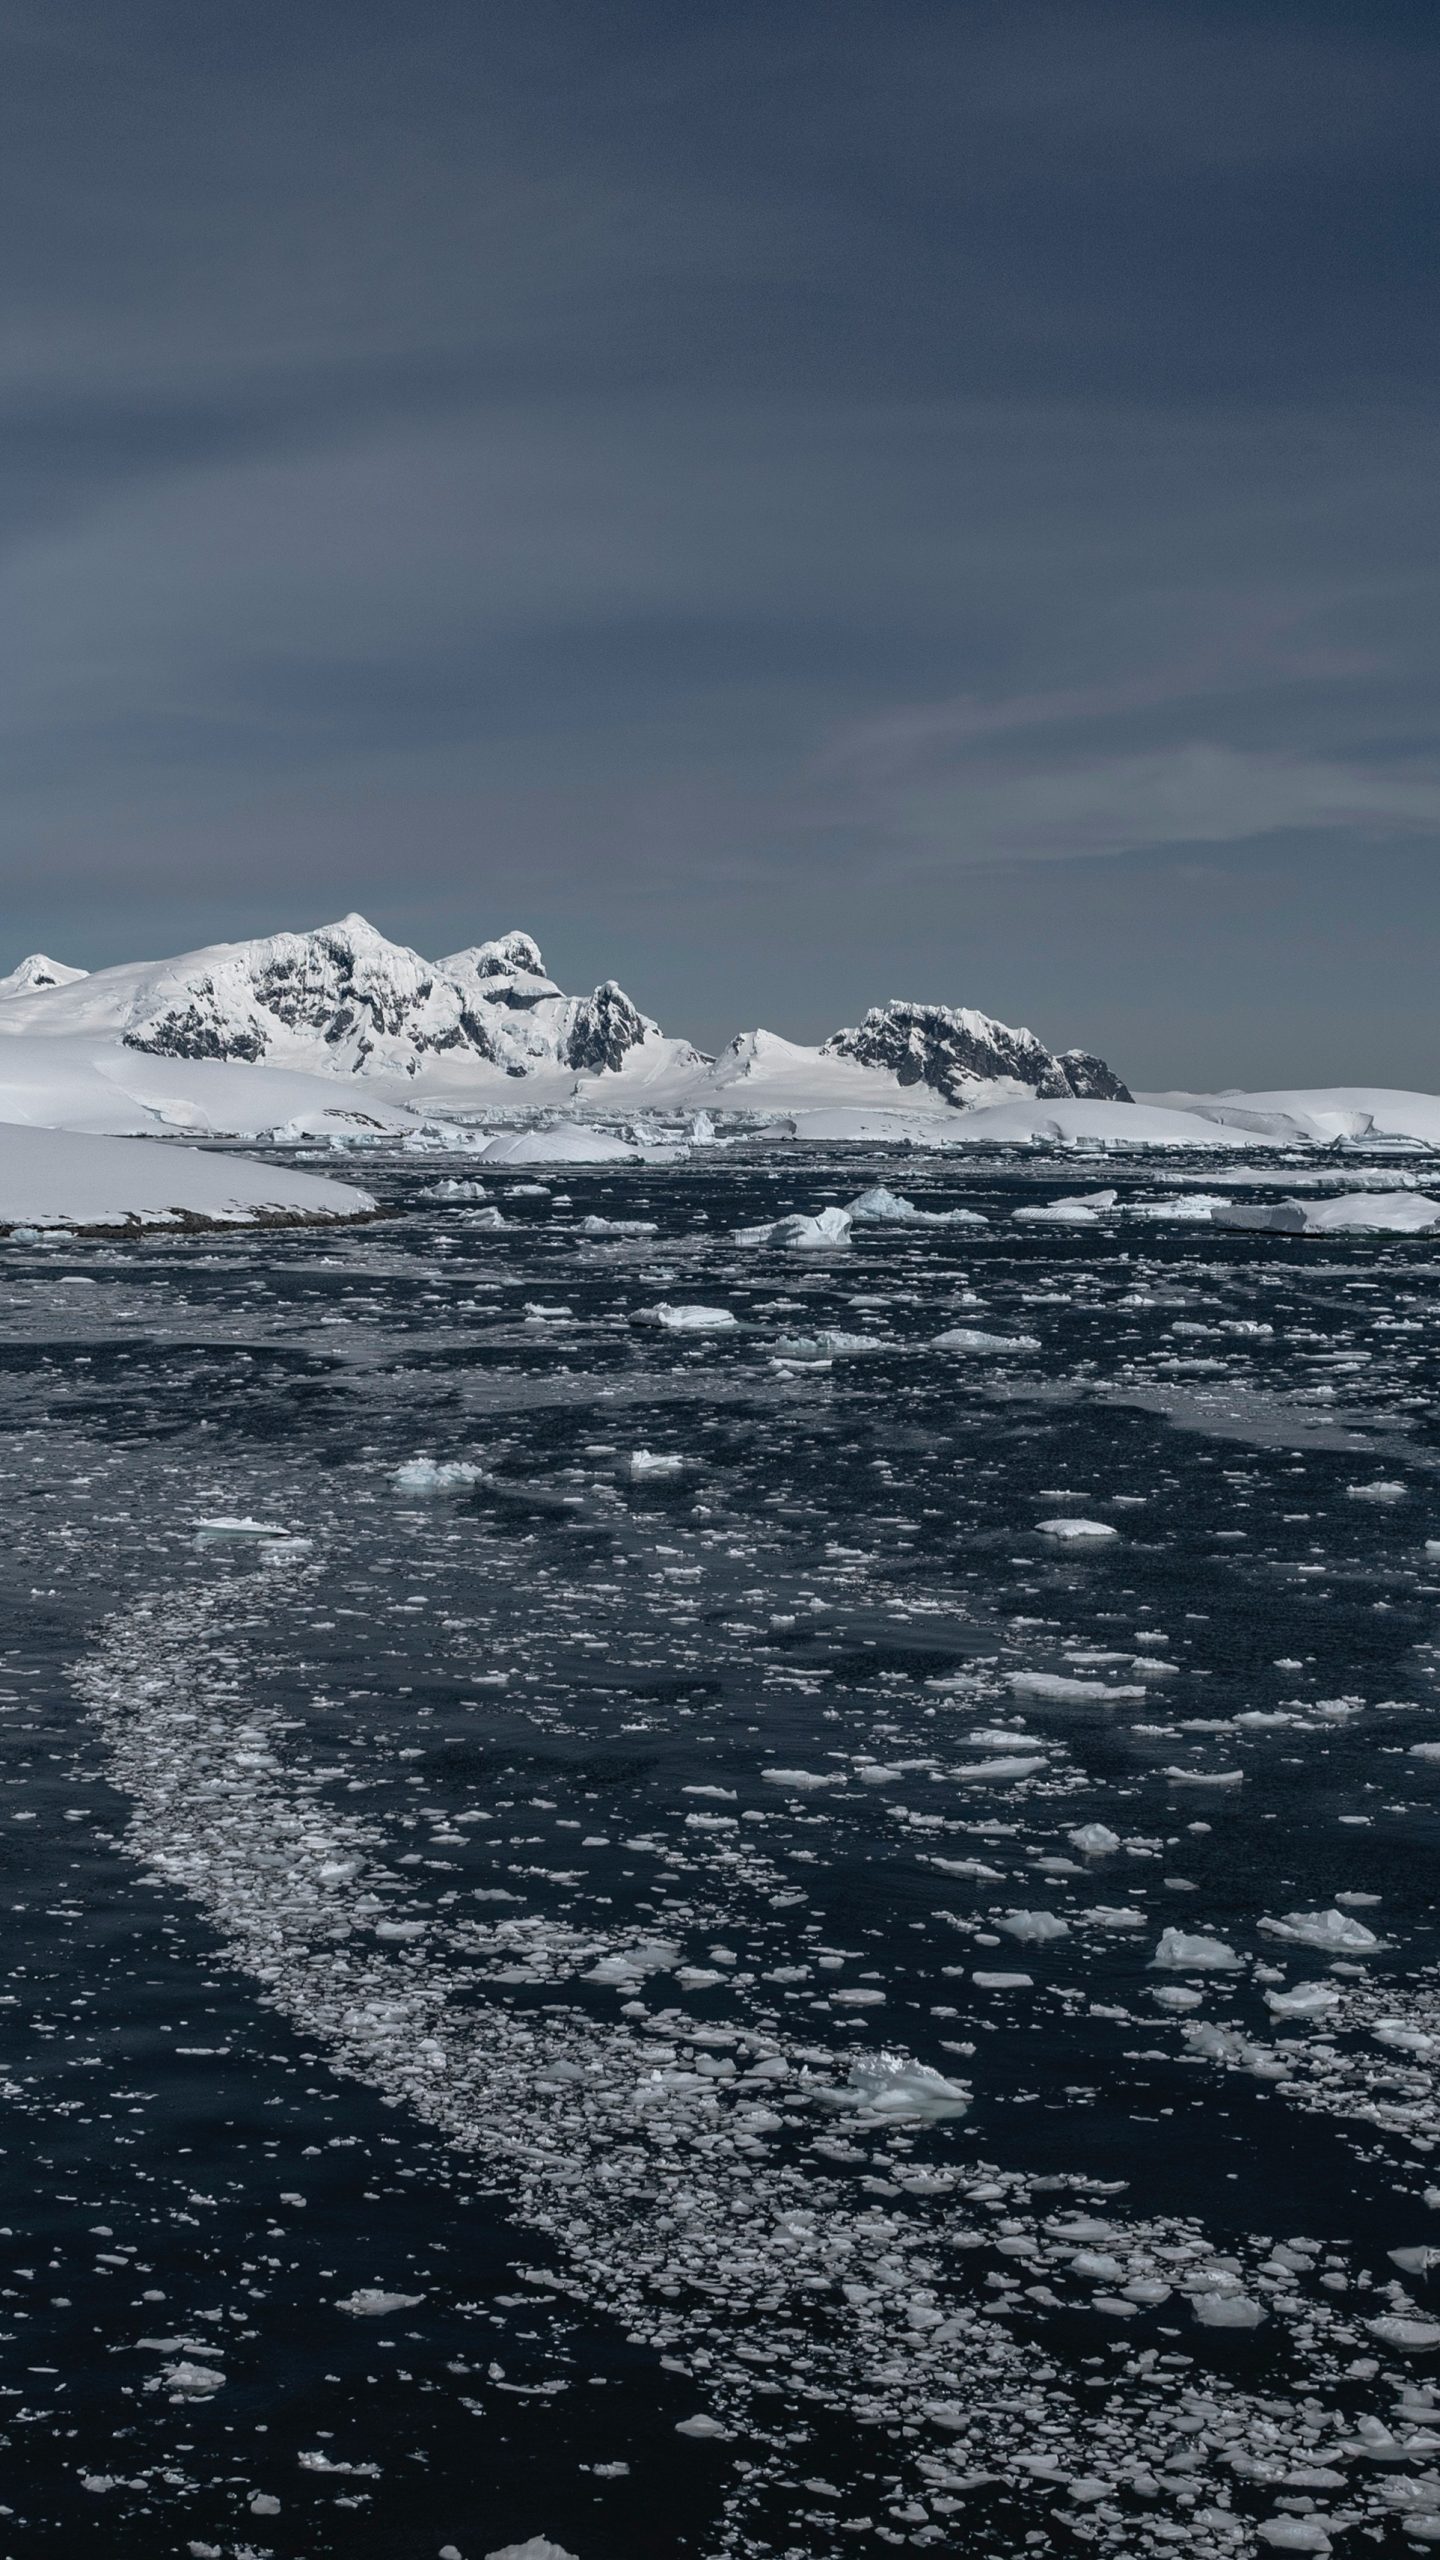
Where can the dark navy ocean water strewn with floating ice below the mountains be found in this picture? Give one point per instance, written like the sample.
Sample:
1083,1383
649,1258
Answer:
455,2095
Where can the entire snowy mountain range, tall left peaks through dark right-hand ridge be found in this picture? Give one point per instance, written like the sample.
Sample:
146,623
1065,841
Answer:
488,1020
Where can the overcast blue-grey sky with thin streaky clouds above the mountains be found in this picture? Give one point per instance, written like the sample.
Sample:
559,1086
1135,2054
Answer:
790,503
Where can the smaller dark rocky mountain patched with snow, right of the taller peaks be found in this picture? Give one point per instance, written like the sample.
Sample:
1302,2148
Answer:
965,1056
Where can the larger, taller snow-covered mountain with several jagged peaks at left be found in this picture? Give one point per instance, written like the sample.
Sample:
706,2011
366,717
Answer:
345,1000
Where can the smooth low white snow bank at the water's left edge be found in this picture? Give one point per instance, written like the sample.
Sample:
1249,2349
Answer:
53,1179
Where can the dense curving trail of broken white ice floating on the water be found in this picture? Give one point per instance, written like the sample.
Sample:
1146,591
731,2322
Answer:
785,2292
